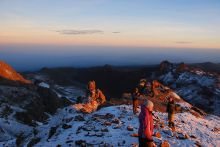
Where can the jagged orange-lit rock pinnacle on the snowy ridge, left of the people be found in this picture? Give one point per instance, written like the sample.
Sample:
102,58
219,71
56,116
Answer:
94,98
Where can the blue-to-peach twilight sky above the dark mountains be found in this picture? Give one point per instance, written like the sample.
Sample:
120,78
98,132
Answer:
70,26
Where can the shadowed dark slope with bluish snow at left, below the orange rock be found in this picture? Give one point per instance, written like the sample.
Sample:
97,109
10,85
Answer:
23,107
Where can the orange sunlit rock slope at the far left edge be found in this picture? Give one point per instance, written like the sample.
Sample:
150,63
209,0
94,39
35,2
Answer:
7,72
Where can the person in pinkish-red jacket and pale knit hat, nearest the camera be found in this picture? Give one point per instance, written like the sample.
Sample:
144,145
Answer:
145,131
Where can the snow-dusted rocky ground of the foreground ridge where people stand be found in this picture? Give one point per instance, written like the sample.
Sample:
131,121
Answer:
94,129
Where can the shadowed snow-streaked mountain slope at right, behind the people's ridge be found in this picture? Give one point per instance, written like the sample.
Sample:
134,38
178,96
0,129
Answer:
194,85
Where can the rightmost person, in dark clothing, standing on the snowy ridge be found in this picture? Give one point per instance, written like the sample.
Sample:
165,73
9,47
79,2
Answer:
171,108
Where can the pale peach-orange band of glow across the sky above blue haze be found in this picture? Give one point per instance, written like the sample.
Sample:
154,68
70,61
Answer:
132,39
